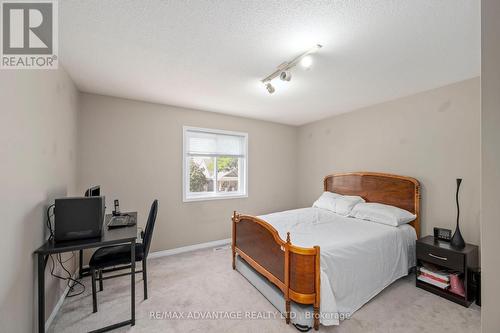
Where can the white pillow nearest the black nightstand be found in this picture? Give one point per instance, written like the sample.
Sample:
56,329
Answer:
381,213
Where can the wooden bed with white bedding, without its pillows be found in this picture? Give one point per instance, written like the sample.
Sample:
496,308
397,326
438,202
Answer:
318,267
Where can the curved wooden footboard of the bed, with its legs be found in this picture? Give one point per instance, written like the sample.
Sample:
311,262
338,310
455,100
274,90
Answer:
294,270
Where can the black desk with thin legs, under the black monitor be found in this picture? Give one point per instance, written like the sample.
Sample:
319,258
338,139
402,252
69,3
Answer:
108,237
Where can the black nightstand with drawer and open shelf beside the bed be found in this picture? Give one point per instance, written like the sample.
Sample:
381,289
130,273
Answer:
441,254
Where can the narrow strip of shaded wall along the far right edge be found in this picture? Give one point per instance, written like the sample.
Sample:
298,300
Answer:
490,166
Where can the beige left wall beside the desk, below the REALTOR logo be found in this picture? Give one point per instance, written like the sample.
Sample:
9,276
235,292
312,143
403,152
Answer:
38,148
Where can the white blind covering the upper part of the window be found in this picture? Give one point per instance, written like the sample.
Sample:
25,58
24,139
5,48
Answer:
214,144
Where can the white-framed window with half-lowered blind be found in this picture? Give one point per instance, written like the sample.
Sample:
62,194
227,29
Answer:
215,164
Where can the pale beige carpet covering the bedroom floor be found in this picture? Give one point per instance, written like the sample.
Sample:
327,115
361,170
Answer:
204,281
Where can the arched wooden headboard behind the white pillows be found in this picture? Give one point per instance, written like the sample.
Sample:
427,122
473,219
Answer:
399,191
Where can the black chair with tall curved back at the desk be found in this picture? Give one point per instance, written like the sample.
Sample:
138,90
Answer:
118,255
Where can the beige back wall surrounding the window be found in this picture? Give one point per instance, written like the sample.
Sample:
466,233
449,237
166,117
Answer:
134,151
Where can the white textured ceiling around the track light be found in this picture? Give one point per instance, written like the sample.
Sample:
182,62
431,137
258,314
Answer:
210,55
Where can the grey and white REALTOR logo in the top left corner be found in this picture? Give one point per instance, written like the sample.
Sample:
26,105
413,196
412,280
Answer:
29,34
